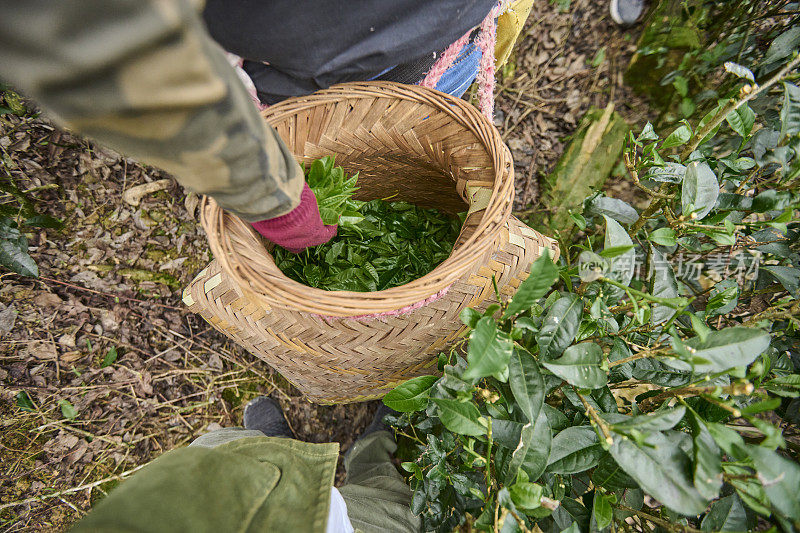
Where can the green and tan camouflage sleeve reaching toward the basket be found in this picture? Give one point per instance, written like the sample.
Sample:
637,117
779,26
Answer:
144,78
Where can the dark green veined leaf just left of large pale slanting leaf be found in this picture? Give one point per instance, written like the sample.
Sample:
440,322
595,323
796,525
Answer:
574,450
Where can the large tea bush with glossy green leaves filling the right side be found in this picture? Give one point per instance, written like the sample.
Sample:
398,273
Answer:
649,381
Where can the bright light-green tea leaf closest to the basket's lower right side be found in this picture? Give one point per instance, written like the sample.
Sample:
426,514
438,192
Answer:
489,351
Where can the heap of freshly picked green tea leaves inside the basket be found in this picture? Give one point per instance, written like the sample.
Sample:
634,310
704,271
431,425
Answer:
379,244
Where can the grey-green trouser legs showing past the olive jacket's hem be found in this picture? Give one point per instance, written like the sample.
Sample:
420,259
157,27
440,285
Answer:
377,498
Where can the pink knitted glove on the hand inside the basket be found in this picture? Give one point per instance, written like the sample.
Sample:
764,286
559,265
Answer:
300,228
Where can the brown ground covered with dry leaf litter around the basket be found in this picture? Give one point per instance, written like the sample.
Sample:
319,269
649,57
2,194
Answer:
111,280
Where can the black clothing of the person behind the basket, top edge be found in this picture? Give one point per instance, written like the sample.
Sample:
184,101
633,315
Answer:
312,44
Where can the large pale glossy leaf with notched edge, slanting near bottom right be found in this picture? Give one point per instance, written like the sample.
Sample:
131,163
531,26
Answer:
661,469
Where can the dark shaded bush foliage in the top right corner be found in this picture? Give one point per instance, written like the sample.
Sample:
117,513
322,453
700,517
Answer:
688,42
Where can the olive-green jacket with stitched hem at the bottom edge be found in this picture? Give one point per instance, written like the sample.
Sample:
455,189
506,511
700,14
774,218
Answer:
239,486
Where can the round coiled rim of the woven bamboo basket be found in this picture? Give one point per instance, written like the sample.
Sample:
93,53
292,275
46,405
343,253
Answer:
269,286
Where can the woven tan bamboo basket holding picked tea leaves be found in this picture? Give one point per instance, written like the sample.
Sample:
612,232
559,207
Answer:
421,146
